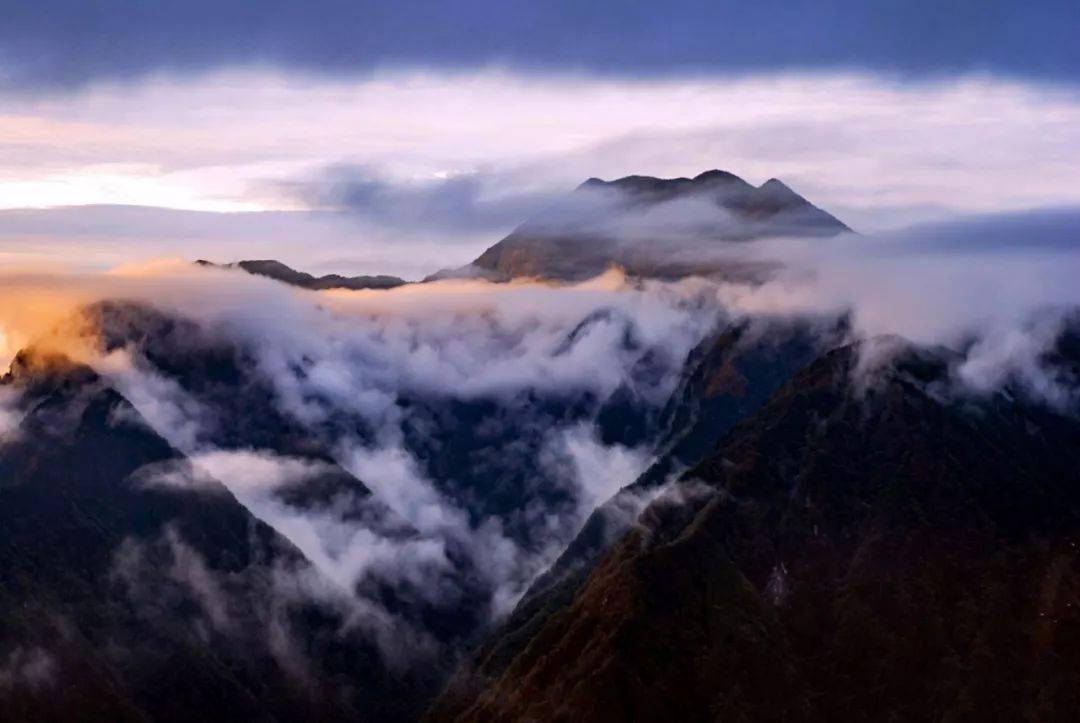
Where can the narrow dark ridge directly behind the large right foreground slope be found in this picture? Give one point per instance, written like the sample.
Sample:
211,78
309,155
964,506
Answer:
727,379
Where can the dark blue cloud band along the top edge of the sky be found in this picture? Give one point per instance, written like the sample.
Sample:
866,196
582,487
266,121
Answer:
57,44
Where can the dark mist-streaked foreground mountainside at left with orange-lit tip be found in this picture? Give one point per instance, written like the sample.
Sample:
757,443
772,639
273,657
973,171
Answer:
138,600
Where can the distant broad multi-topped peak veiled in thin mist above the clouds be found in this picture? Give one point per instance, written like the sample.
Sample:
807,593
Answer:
631,222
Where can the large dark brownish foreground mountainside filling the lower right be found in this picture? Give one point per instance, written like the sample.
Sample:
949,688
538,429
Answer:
844,554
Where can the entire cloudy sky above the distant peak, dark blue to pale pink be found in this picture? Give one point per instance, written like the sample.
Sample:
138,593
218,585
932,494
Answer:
403,138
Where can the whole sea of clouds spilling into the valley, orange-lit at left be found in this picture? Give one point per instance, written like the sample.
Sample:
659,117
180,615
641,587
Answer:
997,290
